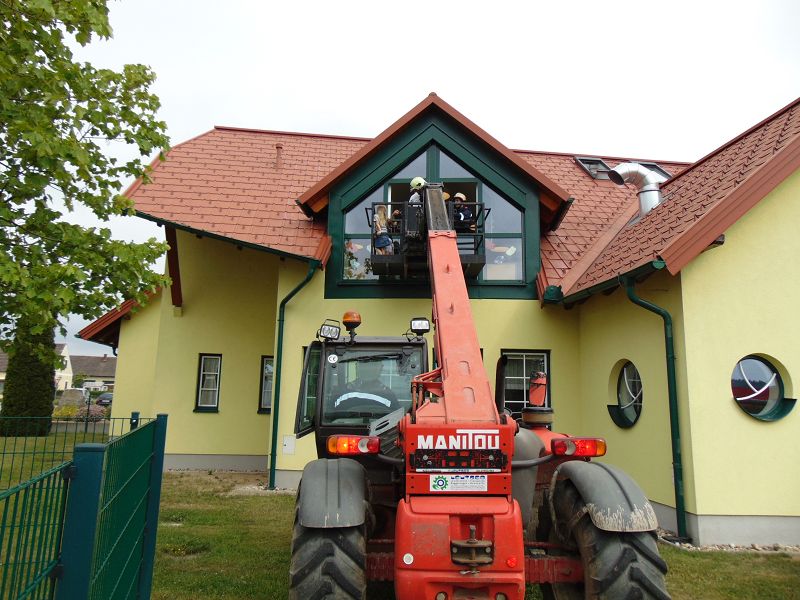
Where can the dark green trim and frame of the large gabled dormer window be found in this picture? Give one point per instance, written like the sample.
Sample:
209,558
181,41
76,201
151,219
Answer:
489,168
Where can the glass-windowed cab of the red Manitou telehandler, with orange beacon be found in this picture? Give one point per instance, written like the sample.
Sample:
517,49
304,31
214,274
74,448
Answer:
357,385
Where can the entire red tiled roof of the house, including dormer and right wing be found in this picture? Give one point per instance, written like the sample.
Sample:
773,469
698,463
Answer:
242,185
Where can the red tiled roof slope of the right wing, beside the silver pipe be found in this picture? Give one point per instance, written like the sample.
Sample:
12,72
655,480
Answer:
704,200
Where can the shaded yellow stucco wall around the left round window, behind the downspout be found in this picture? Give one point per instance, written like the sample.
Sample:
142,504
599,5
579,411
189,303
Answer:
614,330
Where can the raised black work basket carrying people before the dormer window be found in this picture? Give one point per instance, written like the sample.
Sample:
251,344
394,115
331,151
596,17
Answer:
399,232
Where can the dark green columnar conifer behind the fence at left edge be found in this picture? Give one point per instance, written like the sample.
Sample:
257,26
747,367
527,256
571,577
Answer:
30,383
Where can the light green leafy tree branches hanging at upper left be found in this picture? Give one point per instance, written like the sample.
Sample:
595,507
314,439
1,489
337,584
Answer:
57,119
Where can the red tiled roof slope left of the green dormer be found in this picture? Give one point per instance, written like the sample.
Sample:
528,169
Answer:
234,183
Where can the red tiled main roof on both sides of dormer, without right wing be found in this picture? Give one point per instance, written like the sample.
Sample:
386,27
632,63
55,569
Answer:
227,183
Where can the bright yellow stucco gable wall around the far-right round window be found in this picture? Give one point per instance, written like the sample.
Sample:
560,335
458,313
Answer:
739,299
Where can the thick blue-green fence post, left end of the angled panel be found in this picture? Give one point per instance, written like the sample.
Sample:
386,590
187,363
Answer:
80,522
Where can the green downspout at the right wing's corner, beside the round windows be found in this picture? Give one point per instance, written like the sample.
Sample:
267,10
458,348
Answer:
672,389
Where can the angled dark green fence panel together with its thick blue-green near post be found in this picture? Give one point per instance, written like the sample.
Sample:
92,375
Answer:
109,546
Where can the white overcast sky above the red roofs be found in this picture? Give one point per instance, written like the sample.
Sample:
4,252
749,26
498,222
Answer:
659,80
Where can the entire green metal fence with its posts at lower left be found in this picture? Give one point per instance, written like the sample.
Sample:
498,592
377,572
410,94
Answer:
84,526
